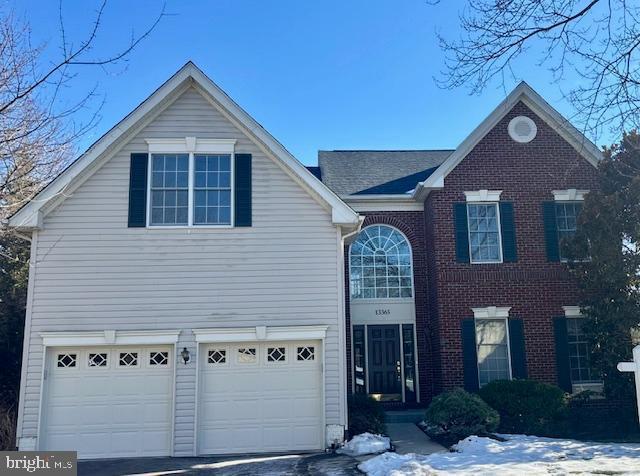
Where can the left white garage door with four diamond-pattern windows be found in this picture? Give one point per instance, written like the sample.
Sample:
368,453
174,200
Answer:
108,402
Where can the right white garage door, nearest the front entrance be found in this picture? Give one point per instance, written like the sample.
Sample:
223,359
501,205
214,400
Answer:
260,397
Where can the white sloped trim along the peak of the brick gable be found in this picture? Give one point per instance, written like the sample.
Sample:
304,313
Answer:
525,93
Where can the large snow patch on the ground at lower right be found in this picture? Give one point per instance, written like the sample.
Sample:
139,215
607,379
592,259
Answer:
518,455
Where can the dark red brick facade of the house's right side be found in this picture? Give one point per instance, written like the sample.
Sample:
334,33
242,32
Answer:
534,288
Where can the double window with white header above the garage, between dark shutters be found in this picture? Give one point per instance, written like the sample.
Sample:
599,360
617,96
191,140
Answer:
190,186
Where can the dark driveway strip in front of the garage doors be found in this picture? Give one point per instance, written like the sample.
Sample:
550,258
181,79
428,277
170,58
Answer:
289,465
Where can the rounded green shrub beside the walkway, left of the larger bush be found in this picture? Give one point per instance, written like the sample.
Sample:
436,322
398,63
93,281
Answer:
454,415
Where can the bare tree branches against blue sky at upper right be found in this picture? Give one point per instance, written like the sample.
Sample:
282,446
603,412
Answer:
591,45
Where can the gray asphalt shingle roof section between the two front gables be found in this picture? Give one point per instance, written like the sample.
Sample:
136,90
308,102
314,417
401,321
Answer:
348,172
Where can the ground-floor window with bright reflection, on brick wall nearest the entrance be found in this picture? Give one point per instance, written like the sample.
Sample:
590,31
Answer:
492,347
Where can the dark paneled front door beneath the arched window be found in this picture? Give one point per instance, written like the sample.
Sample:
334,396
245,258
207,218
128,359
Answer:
385,377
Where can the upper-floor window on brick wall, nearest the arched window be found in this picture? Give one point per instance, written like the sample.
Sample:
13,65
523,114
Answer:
484,232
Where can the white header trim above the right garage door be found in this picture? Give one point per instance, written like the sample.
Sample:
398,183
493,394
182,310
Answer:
252,334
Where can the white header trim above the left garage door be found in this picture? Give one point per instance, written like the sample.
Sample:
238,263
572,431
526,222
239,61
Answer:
109,337
